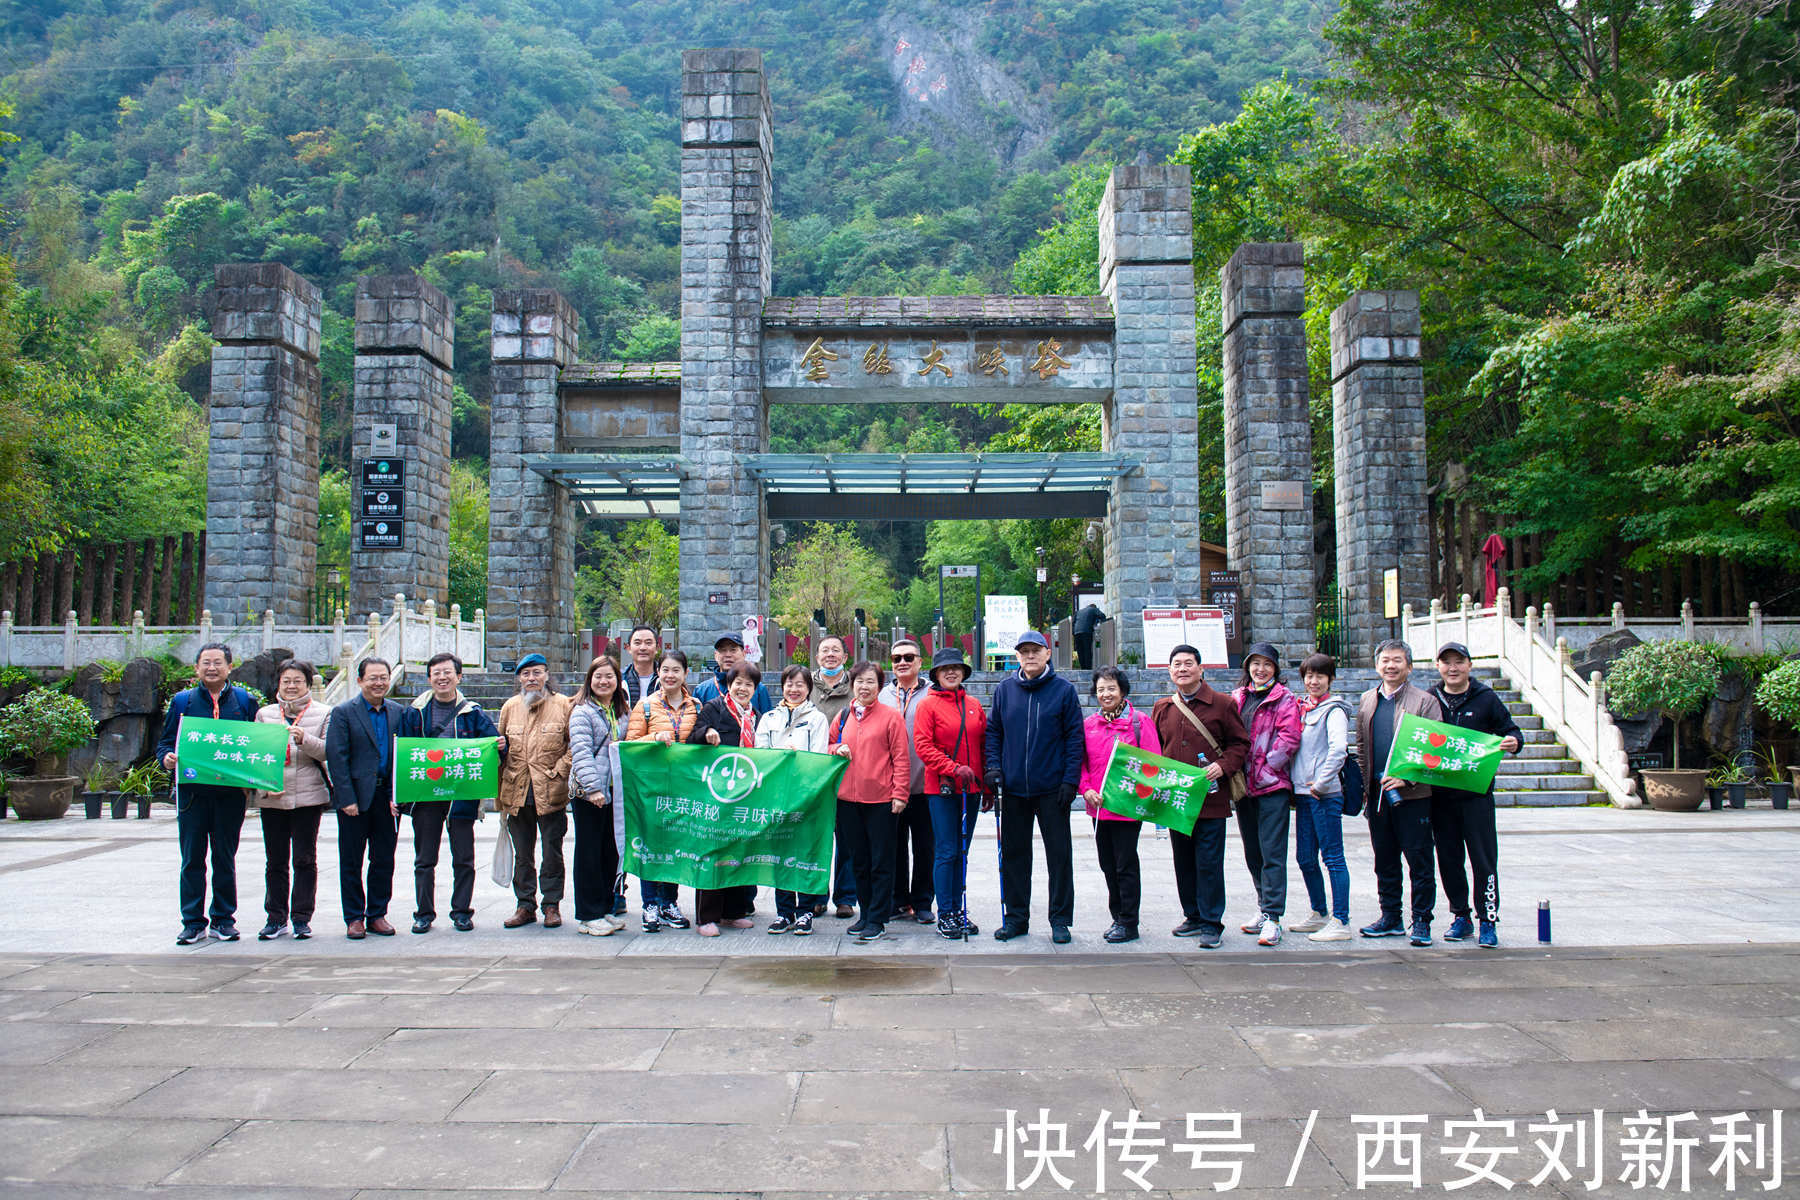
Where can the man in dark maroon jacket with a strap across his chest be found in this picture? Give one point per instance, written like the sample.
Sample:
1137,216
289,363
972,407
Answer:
1223,746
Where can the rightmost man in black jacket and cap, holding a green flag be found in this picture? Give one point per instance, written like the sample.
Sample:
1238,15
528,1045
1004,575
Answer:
1462,823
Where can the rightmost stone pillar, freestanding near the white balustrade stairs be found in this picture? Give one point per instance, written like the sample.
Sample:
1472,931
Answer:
1380,452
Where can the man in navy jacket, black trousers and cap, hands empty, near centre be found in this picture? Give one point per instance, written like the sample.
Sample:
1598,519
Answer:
1034,760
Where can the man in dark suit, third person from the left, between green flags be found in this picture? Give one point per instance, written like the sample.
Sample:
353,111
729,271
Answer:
361,758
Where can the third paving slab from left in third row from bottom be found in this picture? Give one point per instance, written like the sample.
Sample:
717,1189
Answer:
519,1050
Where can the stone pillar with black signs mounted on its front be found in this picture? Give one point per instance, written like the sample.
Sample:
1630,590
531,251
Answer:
406,343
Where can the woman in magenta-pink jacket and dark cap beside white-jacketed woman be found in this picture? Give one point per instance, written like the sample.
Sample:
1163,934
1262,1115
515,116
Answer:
1272,715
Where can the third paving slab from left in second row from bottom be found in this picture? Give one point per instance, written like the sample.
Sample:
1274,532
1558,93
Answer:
633,1097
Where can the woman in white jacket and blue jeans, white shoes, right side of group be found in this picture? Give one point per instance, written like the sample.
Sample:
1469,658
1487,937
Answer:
1320,803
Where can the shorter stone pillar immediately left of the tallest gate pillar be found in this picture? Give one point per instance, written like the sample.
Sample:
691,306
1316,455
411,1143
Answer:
530,519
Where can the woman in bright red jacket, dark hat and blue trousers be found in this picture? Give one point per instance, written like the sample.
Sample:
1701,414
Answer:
949,735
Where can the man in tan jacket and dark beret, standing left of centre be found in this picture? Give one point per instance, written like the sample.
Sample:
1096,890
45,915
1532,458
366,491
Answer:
535,789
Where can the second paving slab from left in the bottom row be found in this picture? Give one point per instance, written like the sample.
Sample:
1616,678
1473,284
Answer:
390,1154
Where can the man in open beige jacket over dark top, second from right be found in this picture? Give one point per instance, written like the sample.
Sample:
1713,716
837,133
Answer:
1399,812
